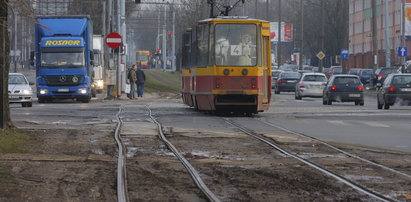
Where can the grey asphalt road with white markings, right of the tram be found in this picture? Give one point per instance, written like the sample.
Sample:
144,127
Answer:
344,122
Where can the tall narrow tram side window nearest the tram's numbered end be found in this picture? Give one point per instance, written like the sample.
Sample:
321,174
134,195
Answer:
202,45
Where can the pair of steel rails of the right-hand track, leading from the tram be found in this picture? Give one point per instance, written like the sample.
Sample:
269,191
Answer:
282,149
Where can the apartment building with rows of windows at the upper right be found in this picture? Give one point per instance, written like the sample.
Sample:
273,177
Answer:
361,36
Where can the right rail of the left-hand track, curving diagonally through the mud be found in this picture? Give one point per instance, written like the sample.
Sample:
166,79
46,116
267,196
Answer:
194,174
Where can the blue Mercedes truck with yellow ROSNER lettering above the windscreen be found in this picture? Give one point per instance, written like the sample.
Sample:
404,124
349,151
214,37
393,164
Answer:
63,57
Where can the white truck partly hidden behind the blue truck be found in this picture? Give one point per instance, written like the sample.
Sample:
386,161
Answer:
99,65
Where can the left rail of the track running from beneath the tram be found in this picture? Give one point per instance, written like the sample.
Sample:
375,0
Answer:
340,178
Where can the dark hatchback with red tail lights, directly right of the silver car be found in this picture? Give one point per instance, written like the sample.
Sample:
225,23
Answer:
344,88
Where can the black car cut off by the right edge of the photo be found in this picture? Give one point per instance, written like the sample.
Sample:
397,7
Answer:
396,88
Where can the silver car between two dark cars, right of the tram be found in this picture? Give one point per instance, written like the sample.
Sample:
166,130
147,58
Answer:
310,85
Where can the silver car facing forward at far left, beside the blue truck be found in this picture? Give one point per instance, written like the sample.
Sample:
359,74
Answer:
20,90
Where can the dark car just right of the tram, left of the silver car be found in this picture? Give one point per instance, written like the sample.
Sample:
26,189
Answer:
286,82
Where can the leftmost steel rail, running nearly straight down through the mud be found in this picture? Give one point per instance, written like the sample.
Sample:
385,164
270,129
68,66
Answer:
121,193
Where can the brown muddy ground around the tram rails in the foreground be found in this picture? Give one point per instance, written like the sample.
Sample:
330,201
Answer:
78,162
